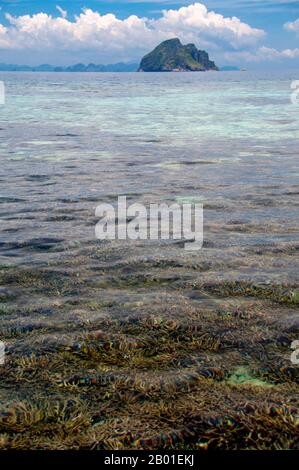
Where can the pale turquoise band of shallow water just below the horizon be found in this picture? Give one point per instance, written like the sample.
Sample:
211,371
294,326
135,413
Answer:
179,109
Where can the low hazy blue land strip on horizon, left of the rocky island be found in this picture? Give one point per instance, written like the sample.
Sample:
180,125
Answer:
119,67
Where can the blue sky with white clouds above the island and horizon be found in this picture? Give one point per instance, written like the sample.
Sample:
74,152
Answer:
246,33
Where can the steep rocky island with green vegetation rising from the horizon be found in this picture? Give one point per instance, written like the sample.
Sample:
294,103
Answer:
172,56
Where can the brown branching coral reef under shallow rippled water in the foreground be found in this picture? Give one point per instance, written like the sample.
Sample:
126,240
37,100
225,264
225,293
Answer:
130,367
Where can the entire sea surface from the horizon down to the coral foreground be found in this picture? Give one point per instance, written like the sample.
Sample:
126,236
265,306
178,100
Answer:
158,337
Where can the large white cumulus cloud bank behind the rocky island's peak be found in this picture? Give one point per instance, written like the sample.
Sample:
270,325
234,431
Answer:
93,31
